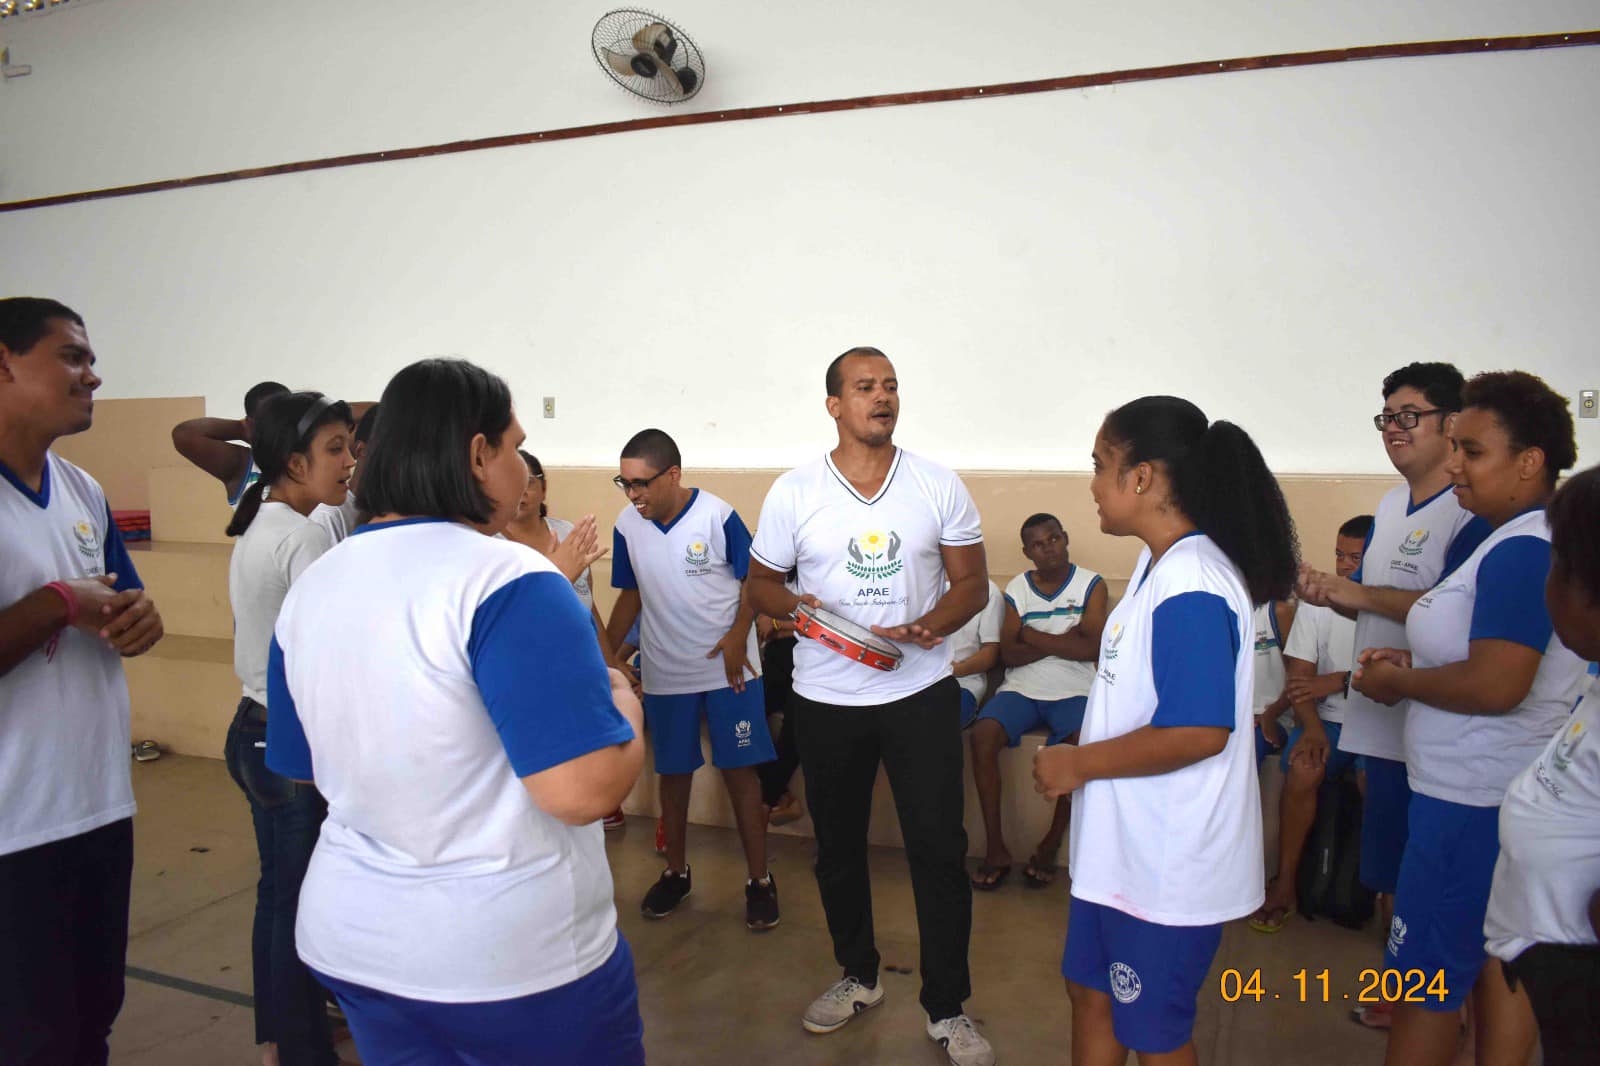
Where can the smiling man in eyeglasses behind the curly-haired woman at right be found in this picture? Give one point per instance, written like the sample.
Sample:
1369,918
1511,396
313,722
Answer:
1420,534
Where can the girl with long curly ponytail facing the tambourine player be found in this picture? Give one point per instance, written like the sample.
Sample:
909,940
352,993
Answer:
1166,840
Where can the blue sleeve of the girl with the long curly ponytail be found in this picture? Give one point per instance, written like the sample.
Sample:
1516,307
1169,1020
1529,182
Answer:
1194,649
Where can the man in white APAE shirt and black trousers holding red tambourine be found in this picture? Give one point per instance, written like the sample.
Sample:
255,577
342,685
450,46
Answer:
874,534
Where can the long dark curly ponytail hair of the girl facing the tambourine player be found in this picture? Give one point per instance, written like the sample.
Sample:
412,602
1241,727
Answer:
1220,483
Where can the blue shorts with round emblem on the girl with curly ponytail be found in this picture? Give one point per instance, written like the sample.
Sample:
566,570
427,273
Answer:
1151,972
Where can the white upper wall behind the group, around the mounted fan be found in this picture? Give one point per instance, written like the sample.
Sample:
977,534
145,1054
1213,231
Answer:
1268,244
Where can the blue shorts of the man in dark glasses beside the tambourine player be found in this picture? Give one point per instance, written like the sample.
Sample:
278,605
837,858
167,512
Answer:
737,723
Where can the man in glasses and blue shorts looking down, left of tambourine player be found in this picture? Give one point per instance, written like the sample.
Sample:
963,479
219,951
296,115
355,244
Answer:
681,558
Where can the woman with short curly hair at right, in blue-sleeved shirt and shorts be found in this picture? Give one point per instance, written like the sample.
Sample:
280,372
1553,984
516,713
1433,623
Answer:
1487,686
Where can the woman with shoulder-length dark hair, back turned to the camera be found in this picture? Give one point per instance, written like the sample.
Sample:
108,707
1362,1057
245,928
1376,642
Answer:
446,691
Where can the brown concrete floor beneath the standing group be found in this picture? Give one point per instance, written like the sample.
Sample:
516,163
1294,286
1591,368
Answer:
710,990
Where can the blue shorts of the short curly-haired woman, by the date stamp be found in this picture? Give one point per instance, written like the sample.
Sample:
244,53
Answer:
1444,896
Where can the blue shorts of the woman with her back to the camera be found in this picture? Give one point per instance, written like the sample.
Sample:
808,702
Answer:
591,1020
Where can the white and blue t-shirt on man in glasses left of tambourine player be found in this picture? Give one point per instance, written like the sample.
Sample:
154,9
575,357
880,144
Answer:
690,577
